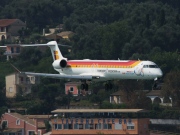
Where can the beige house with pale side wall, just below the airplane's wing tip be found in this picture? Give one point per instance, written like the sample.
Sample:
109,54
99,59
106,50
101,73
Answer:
19,83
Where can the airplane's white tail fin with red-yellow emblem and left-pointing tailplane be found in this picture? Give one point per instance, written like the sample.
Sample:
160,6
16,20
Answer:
55,51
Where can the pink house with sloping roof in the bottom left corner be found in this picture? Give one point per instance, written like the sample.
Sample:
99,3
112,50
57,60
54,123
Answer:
17,124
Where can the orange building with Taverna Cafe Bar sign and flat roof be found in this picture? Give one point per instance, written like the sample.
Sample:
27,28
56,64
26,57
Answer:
99,121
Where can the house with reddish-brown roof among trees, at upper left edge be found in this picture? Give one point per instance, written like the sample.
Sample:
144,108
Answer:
9,28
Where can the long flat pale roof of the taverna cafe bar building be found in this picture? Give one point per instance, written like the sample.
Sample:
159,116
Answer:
98,110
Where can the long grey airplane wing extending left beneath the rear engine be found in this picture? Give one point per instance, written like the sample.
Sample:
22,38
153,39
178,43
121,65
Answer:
59,76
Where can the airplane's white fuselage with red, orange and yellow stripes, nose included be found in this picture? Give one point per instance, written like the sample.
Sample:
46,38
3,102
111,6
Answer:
109,69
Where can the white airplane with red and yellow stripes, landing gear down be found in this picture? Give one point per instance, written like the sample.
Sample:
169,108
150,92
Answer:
97,70
